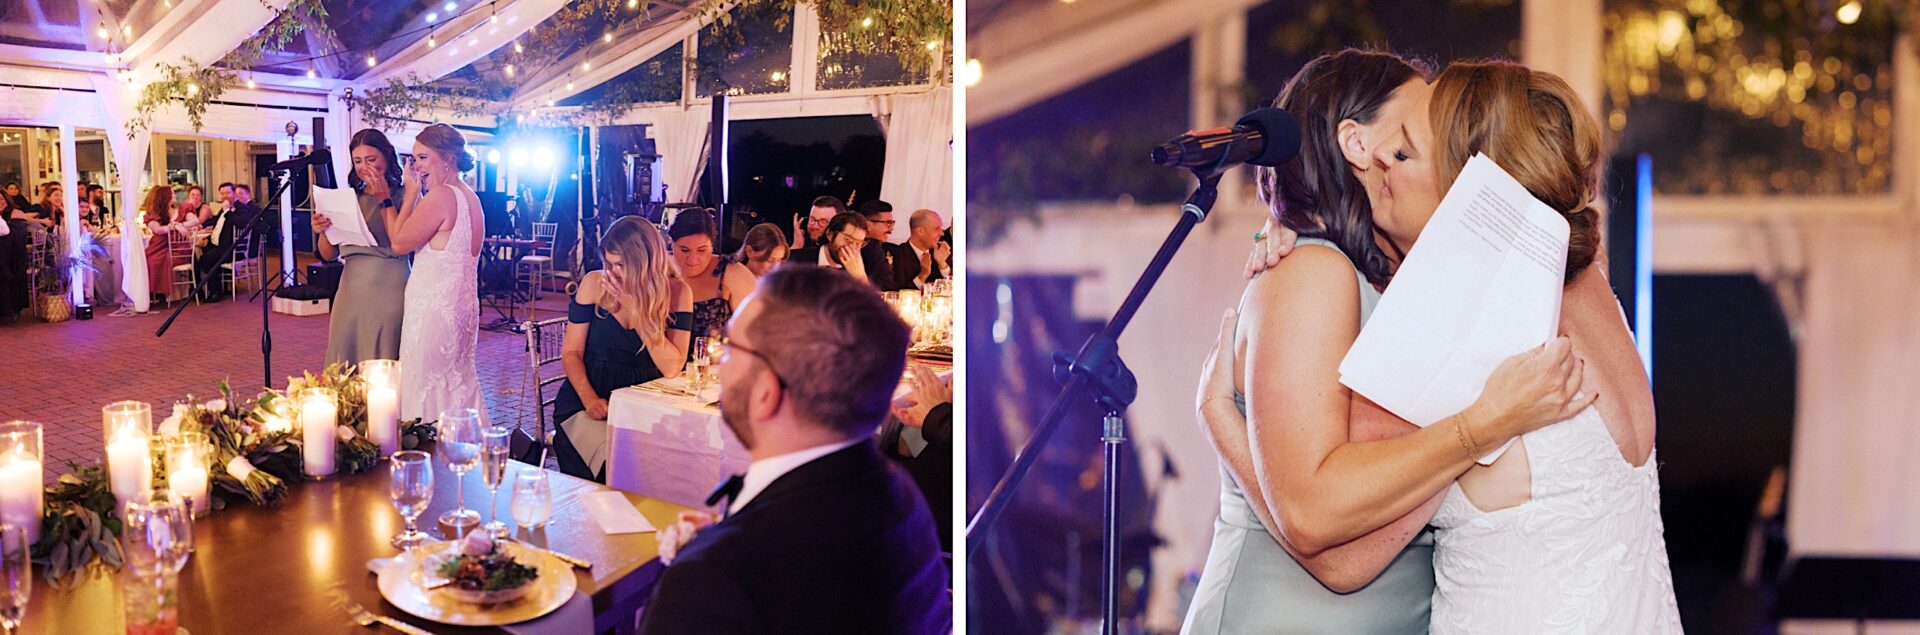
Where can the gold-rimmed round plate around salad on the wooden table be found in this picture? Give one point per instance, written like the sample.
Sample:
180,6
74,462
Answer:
404,586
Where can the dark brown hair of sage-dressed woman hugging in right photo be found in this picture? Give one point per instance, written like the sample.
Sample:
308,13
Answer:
1318,195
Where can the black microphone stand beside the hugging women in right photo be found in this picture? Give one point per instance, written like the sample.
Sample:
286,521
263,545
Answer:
1101,371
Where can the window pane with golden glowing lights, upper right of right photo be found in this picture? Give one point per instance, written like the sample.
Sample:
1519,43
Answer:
1752,99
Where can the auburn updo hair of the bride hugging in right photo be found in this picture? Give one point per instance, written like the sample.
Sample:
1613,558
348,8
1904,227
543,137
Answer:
1537,129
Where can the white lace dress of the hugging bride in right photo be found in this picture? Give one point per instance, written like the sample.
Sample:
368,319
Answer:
1585,555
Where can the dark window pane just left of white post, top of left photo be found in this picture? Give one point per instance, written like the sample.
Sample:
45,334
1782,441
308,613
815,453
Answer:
754,55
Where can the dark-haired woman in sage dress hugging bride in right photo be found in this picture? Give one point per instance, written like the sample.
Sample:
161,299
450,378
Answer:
1326,498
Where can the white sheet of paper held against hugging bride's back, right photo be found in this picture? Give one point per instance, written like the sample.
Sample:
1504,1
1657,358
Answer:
1481,285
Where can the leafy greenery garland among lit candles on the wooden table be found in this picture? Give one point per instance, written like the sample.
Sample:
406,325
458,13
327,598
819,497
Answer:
247,463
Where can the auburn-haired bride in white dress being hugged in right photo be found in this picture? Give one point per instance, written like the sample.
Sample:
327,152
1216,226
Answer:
1564,532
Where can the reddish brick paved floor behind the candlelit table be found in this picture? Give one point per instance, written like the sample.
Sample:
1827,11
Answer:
60,375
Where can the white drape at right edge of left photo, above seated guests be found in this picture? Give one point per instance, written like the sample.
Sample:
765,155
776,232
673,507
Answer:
921,160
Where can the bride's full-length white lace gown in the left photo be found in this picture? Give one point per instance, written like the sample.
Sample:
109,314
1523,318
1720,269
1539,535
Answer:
441,329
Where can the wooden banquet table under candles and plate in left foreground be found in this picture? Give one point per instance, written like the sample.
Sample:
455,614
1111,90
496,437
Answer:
279,571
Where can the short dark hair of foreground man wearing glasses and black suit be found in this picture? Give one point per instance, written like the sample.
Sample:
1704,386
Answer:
836,344
